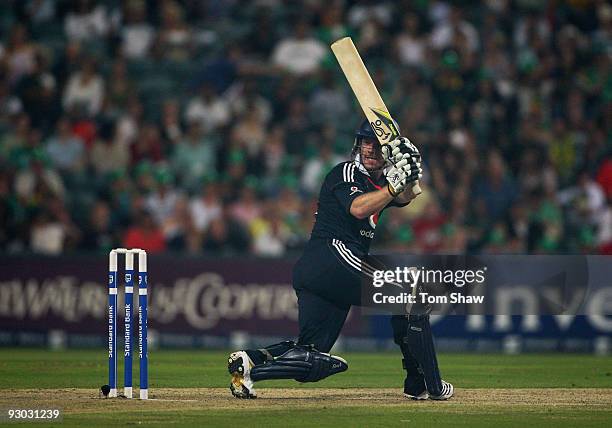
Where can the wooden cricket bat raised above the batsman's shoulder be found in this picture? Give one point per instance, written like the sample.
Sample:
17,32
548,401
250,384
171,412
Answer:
364,89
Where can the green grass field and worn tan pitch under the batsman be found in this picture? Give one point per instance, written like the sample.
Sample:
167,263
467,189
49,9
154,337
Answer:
189,388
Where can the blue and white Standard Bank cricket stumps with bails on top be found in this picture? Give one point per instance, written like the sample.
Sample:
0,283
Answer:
142,317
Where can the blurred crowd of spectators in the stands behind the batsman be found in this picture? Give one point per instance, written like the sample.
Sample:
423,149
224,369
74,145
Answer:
207,126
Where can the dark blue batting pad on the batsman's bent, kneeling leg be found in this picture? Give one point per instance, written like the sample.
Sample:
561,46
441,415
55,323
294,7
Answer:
302,363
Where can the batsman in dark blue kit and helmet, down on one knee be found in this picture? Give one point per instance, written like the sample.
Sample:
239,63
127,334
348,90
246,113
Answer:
327,277
